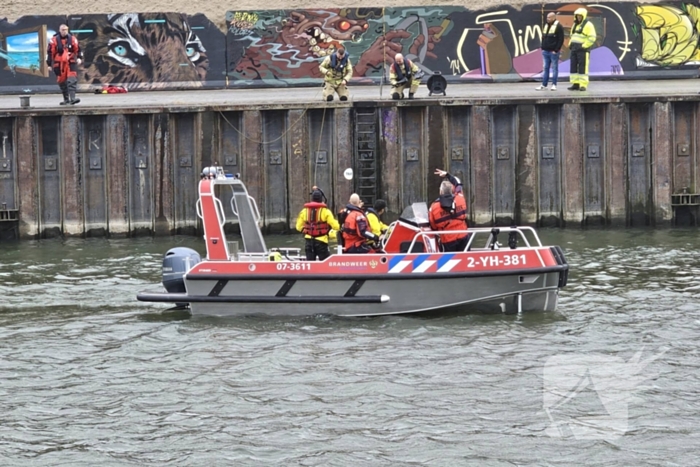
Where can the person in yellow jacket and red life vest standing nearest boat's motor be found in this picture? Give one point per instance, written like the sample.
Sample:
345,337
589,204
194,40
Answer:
316,221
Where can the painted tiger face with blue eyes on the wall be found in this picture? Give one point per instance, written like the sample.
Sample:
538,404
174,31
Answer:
142,51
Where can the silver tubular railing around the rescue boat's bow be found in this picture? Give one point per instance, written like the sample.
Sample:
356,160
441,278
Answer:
514,235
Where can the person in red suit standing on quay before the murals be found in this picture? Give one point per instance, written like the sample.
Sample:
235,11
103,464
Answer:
63,55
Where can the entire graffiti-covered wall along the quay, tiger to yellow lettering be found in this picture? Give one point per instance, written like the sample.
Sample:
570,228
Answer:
285,47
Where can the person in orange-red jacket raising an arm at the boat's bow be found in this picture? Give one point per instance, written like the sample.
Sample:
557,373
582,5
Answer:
449,212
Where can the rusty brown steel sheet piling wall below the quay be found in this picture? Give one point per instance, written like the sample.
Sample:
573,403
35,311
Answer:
551,162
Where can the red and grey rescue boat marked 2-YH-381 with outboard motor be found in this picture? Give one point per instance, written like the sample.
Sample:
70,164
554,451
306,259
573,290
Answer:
409,274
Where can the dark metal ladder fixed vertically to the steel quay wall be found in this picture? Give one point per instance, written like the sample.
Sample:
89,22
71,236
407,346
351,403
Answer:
366,154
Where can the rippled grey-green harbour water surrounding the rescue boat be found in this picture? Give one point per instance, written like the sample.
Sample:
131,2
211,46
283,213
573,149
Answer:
92,377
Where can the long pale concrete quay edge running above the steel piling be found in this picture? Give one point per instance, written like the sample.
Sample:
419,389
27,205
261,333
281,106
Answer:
294,98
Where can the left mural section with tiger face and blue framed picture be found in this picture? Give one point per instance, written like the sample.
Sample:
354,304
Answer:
138,51
